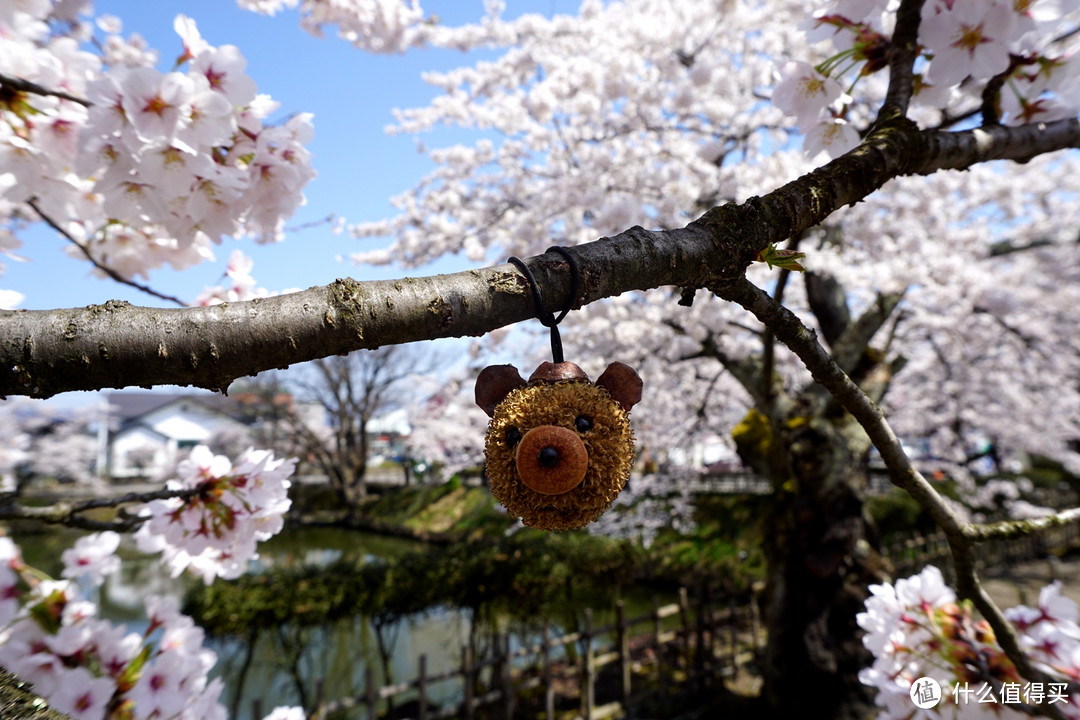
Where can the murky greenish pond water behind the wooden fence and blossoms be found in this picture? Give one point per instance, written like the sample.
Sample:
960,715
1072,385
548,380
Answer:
290,665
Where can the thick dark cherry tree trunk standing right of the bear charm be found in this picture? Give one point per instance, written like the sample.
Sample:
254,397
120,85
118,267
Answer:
822,554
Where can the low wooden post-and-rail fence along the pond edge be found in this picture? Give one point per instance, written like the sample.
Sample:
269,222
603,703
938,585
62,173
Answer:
599,672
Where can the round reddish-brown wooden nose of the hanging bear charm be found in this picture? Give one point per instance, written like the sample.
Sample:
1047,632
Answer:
552,460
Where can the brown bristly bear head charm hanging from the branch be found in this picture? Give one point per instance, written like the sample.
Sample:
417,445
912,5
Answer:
559,449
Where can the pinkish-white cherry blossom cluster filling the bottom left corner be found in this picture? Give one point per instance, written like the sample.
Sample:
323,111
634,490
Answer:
92,669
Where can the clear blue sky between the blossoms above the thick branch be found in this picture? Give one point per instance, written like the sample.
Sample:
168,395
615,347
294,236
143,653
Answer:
352,94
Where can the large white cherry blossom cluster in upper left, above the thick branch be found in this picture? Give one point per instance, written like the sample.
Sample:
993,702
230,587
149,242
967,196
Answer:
156,167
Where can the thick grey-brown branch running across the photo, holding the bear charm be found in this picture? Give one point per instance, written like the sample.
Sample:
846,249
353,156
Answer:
44,354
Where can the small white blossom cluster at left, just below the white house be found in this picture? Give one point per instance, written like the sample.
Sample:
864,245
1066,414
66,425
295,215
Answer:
233,508
